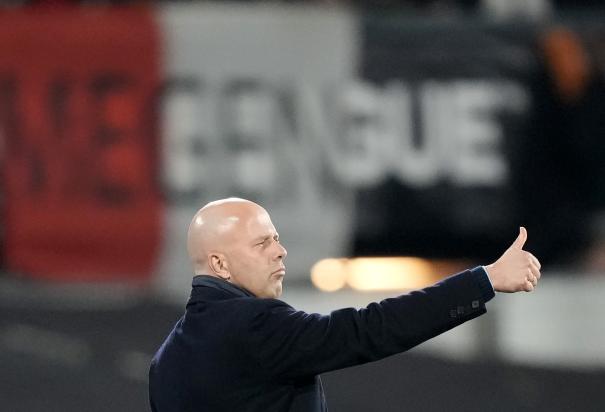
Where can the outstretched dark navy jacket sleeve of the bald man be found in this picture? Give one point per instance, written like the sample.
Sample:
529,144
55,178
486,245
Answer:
290,344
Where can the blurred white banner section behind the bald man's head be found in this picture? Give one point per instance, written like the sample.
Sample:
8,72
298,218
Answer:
243,116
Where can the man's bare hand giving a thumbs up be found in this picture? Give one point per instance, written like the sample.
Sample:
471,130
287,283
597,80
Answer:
516,270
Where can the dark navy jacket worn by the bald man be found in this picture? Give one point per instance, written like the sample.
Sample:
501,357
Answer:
234,352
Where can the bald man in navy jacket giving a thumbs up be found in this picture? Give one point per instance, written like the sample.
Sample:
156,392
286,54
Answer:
239,348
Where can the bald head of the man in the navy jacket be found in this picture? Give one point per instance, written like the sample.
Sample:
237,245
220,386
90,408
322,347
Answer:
225,240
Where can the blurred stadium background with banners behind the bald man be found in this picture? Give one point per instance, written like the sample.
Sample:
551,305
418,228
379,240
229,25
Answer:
393,143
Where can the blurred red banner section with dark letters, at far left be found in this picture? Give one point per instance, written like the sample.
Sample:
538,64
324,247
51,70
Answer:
79,141
